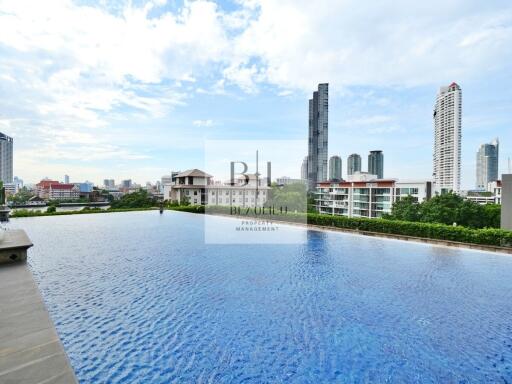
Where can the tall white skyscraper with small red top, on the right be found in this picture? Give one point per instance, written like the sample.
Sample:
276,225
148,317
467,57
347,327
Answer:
447,139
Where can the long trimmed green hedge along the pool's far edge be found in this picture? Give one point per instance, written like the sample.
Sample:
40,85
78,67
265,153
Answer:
485,236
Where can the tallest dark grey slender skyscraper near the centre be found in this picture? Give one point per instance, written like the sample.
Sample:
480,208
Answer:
318,135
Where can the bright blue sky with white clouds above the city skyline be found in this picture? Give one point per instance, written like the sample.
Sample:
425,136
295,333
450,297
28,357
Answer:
132,89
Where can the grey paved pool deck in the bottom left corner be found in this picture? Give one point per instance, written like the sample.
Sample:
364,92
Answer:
30,349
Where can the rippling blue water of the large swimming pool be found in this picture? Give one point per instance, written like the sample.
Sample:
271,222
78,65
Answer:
139,298
